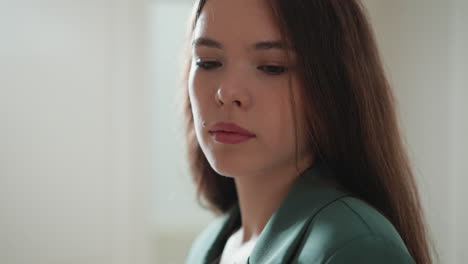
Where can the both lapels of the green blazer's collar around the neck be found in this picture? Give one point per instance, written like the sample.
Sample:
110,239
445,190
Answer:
313,190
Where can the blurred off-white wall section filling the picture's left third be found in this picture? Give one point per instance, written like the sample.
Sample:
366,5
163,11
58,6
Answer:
72,161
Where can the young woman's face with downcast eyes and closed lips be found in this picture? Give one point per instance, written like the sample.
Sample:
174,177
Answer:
240,74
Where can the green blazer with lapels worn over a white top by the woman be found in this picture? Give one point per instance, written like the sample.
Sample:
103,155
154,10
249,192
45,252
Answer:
317,222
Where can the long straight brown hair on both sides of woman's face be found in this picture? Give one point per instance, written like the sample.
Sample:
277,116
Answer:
350,119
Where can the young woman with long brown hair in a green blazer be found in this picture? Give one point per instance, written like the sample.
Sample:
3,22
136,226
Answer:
293,137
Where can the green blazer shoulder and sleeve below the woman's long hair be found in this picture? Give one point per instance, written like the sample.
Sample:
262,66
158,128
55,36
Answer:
350,230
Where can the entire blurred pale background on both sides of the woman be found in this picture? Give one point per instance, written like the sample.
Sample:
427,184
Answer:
92,166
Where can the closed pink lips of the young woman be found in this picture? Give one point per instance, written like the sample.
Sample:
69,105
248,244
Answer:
230,133
